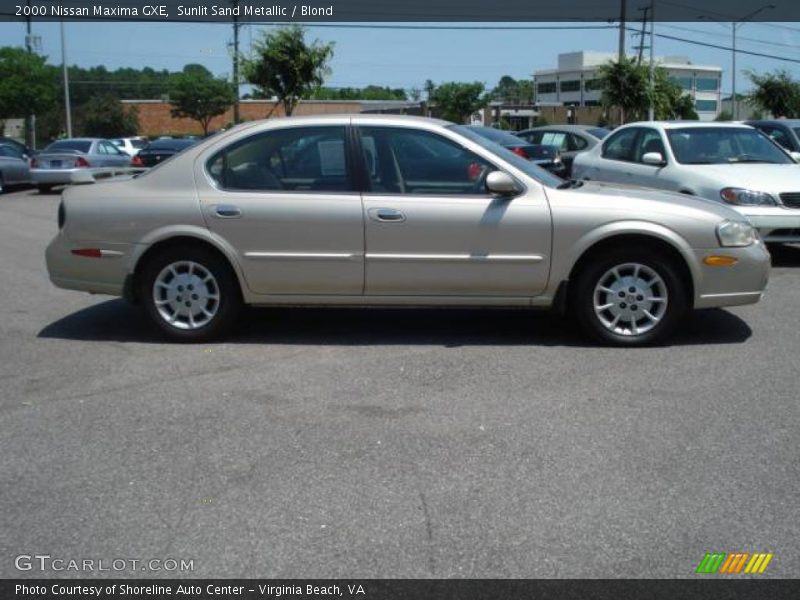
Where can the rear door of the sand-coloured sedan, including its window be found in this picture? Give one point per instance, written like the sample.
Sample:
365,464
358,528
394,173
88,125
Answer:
284,199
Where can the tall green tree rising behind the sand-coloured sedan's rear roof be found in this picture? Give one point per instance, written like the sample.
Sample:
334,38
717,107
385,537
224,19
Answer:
284,65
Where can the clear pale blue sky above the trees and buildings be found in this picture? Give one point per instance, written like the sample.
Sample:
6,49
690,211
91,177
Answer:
406,58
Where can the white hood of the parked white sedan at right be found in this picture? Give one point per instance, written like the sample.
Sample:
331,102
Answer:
755,176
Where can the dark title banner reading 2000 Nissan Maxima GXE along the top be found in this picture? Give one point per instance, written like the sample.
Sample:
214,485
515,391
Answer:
278,11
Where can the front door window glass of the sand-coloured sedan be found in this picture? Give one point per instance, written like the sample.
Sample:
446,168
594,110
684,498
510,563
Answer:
409,161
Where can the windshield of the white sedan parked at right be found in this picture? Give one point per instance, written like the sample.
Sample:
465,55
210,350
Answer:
723,145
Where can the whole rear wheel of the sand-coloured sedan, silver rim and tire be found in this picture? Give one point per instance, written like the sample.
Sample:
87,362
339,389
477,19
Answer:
191,294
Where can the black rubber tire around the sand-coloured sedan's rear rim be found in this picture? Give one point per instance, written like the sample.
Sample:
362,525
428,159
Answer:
229,302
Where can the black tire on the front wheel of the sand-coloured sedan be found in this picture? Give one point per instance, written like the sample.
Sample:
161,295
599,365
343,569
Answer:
598,270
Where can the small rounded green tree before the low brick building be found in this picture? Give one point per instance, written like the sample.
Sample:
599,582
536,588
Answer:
196,94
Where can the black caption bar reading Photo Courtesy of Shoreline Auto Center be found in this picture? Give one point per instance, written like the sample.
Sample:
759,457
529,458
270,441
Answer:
402,589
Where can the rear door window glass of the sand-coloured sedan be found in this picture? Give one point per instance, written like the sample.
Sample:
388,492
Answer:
293,159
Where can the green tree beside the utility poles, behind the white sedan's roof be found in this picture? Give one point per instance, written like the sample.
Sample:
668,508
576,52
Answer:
624,85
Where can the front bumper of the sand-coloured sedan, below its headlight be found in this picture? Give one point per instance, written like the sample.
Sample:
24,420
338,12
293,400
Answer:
734,285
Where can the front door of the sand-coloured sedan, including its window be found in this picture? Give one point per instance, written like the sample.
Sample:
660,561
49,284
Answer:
433,230
